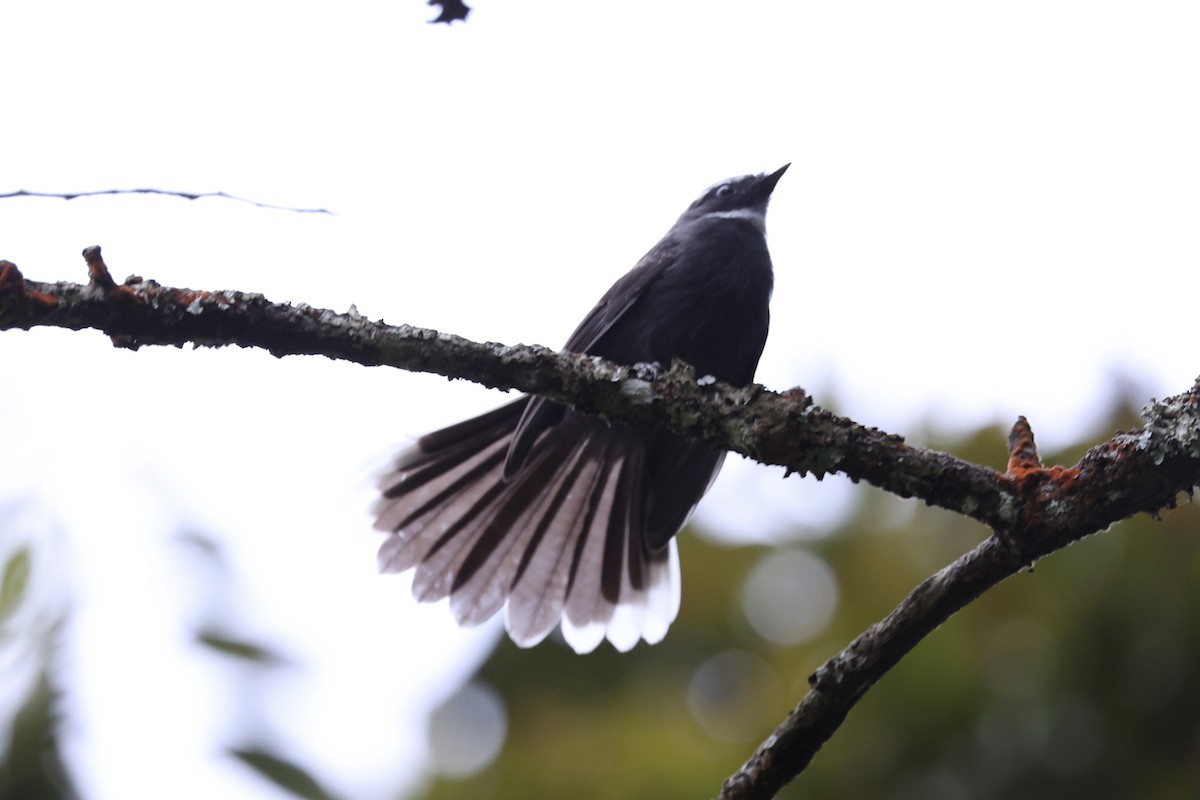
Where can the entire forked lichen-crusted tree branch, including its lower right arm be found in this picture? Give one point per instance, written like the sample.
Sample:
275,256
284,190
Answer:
1033,510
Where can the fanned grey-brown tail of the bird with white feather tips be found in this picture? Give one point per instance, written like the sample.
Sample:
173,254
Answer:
562,540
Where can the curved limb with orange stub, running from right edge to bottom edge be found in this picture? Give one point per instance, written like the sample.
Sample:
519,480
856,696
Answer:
1052,508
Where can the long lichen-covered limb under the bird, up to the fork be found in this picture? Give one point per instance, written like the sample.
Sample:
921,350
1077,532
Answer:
772,428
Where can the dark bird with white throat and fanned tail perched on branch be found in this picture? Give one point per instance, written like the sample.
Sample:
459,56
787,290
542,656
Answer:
560,518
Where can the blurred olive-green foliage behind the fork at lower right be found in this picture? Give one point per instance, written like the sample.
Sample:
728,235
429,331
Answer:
1078,679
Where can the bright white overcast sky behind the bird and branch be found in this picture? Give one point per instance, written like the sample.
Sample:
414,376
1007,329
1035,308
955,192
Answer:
992,208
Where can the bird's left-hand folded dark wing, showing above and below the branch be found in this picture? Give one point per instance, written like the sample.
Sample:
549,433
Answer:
539,416
